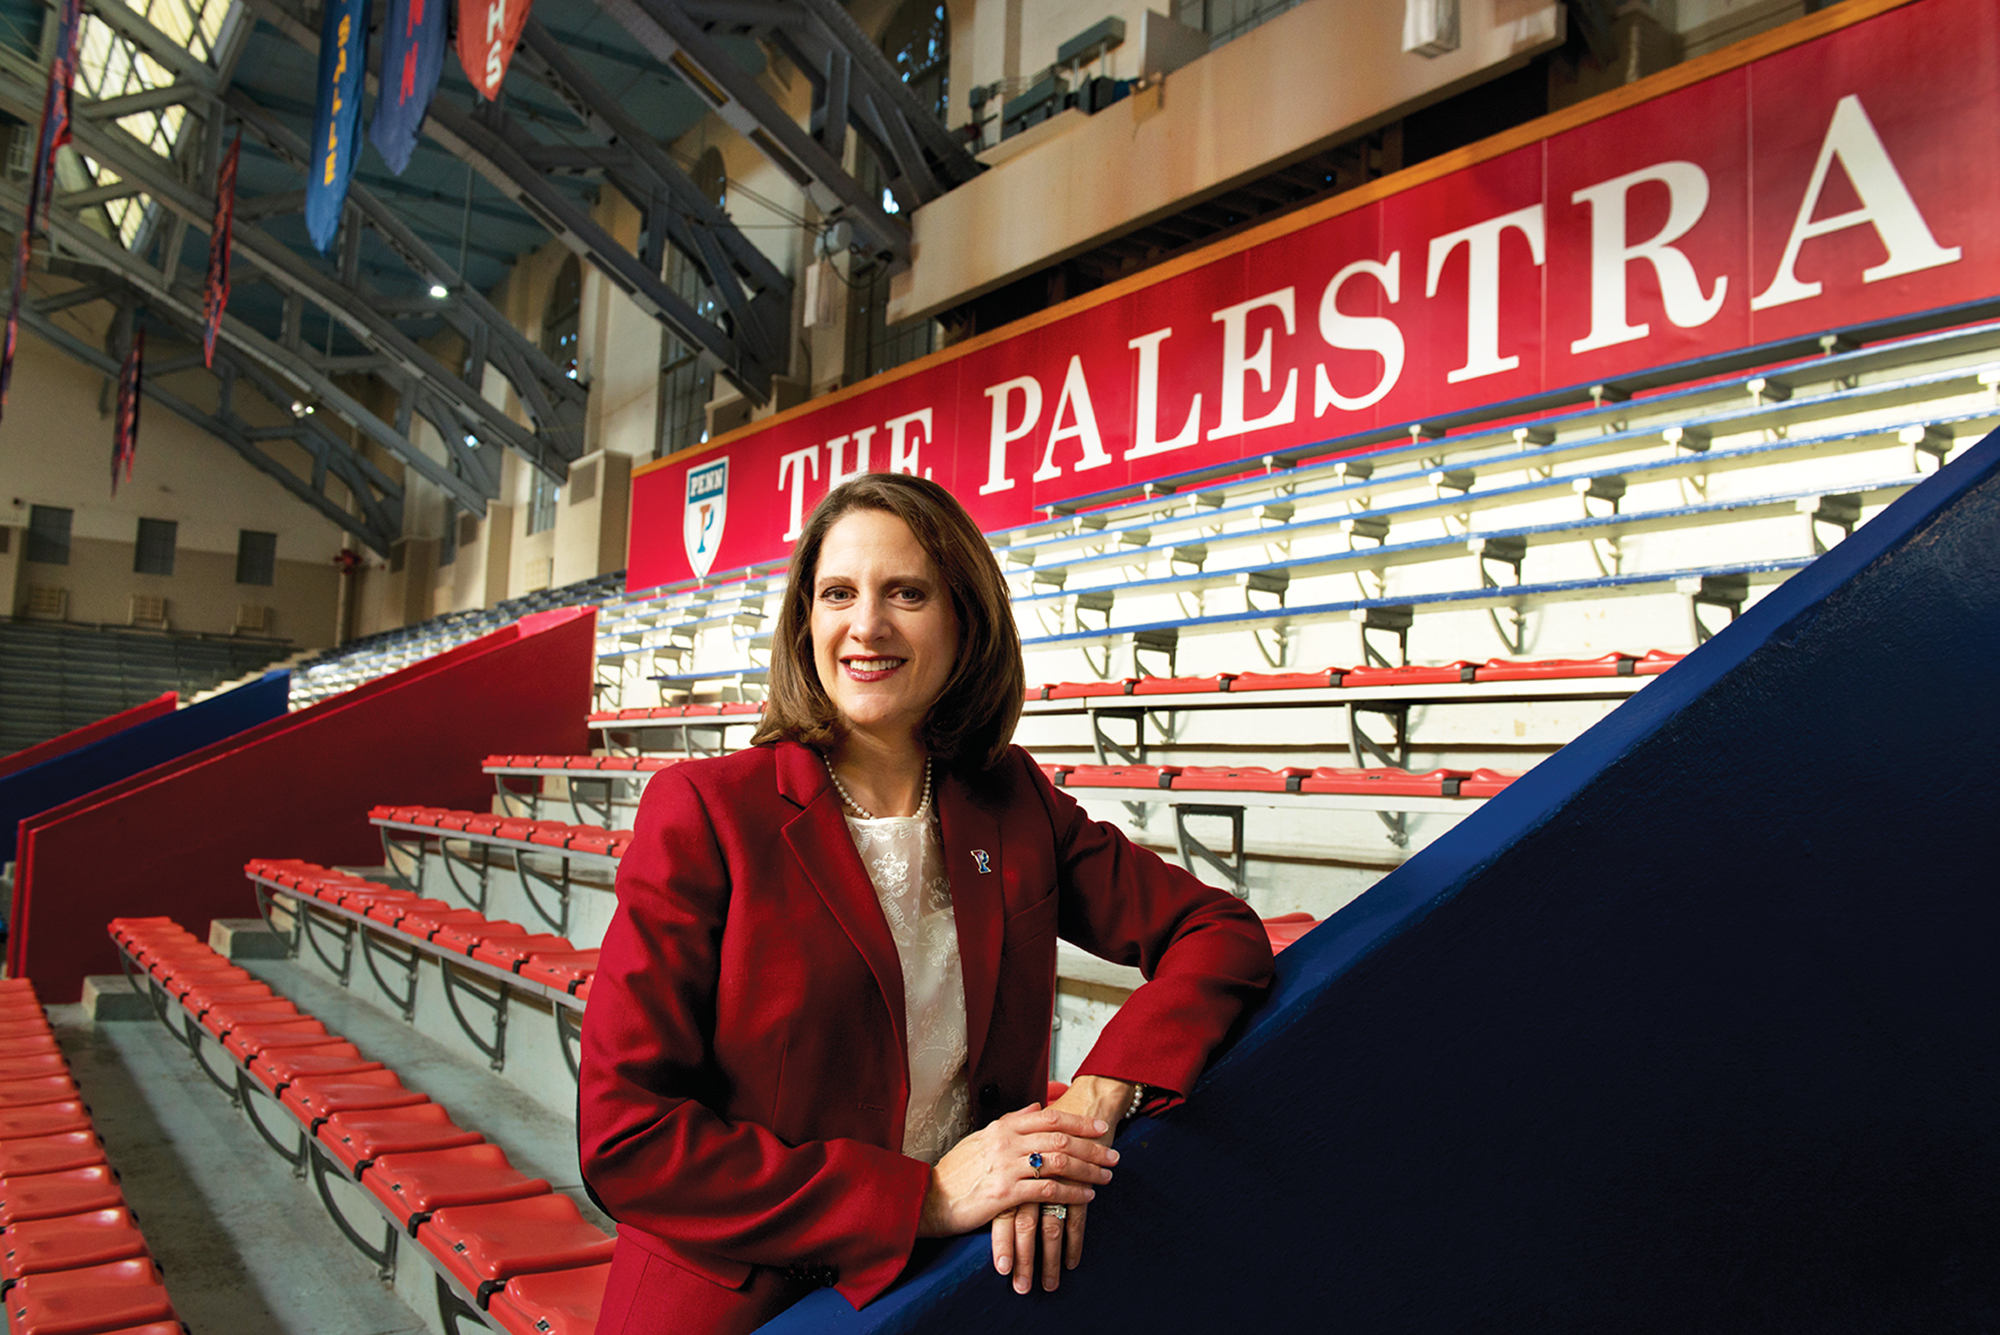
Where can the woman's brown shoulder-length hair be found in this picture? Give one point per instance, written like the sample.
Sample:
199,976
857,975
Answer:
973,722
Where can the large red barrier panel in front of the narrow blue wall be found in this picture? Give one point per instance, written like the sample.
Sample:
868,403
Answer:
175,840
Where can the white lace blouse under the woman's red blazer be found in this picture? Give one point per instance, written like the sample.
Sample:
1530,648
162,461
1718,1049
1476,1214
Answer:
905,858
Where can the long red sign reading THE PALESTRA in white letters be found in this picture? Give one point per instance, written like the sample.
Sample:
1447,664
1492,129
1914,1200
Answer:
1833,185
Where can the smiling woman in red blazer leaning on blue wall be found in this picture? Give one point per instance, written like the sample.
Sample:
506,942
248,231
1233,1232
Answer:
833,966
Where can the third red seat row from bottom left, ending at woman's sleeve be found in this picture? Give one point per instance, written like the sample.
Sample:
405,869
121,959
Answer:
535,956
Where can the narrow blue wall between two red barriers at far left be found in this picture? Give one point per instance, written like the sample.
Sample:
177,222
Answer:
137,748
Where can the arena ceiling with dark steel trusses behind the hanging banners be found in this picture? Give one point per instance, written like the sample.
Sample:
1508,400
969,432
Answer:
595,99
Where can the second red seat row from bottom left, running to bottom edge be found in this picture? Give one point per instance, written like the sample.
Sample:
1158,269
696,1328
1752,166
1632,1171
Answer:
523,1252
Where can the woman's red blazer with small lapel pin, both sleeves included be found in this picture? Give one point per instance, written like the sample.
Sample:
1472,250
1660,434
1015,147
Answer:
743,1060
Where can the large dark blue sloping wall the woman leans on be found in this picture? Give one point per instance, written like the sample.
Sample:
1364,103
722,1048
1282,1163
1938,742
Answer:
1697,1028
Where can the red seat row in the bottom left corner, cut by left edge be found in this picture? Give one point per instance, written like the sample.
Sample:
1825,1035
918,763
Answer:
71,1256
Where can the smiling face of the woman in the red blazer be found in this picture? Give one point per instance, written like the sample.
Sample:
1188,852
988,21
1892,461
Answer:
883,627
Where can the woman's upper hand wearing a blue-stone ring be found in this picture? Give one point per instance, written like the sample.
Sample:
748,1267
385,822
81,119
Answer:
989,1172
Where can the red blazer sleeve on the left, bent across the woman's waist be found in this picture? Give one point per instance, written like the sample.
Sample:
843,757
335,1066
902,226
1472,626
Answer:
655,1152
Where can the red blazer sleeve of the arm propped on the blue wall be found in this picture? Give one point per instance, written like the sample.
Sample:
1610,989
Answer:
1205,954
